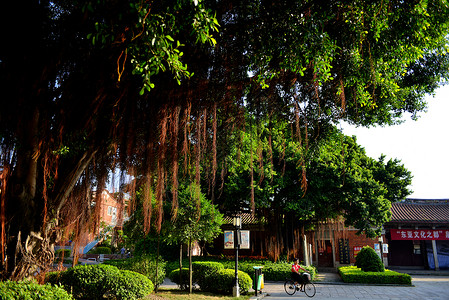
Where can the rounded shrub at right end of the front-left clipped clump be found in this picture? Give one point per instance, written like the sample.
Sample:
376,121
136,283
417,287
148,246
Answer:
130,285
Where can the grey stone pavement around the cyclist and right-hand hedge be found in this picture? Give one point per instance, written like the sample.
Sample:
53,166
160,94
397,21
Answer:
431,286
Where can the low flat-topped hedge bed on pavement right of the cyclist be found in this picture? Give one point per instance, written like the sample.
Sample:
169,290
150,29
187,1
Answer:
353,274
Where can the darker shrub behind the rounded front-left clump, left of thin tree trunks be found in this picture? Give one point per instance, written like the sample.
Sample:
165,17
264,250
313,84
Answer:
145,265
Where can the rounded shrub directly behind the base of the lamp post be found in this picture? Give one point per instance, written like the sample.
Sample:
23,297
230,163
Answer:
223,281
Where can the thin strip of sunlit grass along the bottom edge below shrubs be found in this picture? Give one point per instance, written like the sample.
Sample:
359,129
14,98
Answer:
176,294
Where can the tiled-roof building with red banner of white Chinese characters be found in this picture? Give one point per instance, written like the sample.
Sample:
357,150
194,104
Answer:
418,234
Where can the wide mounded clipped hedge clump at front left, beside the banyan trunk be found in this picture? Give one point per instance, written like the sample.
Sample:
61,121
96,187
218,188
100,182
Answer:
102,281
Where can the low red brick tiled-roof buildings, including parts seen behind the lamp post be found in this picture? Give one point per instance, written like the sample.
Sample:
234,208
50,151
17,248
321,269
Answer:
416,237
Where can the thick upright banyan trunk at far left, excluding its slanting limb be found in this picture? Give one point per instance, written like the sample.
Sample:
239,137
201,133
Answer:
28,247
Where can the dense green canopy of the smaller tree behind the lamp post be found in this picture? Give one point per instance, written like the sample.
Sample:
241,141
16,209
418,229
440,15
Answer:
341,179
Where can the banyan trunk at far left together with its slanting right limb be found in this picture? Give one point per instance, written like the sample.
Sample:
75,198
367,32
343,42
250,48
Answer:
31,228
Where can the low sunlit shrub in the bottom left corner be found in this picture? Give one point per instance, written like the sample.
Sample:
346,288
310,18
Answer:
27,290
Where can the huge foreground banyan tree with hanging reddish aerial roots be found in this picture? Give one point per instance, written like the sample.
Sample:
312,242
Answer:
155,88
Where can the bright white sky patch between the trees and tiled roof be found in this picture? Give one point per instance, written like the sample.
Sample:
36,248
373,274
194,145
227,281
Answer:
422,146
